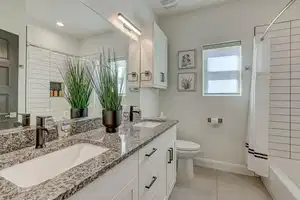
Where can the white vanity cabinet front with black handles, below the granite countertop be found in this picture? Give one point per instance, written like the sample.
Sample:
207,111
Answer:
149,174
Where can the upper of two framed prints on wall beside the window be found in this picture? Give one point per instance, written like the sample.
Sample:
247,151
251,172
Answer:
187,59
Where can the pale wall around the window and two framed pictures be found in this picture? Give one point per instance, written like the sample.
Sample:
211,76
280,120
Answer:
227,22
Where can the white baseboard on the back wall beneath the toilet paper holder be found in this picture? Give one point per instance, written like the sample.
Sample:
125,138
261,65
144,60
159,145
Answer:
223,166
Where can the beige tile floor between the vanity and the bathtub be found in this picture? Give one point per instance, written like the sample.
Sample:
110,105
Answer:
210,184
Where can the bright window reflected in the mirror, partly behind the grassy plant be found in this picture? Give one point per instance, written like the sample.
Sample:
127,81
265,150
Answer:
121,63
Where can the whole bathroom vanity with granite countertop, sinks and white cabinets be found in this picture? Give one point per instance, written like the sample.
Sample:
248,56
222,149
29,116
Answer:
139,162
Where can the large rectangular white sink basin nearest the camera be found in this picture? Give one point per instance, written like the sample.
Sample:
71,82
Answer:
38,170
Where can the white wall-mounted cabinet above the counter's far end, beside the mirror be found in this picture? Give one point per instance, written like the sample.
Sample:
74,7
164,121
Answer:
154,60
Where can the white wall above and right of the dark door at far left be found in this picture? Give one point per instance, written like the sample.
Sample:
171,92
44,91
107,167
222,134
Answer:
12,19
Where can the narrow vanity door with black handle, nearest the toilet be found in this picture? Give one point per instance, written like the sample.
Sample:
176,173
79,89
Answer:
171,168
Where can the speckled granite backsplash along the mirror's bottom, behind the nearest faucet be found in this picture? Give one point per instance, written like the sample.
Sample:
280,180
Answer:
19,138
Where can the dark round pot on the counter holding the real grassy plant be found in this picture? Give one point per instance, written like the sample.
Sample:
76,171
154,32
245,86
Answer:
111,120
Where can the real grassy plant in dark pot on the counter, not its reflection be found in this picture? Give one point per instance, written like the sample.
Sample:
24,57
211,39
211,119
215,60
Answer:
107,86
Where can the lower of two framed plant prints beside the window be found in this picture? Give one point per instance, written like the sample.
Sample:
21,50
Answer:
186,82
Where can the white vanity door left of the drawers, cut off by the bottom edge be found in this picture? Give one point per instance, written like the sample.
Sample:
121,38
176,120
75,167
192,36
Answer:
130,192
